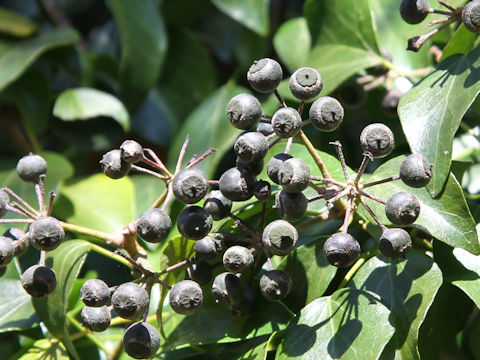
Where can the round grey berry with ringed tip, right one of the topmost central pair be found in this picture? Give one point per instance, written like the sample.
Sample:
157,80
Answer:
305,83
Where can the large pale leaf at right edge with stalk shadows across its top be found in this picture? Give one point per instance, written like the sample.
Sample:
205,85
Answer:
431,112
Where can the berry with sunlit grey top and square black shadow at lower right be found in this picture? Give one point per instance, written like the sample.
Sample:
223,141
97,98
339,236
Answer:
279,237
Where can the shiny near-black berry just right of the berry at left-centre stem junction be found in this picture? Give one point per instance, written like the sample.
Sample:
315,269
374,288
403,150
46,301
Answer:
194,222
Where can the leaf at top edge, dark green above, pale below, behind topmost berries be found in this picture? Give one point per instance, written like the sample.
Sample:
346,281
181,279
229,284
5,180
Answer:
344,39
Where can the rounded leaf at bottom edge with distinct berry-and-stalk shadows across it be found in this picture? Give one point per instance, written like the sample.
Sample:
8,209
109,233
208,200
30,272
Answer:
344,325
